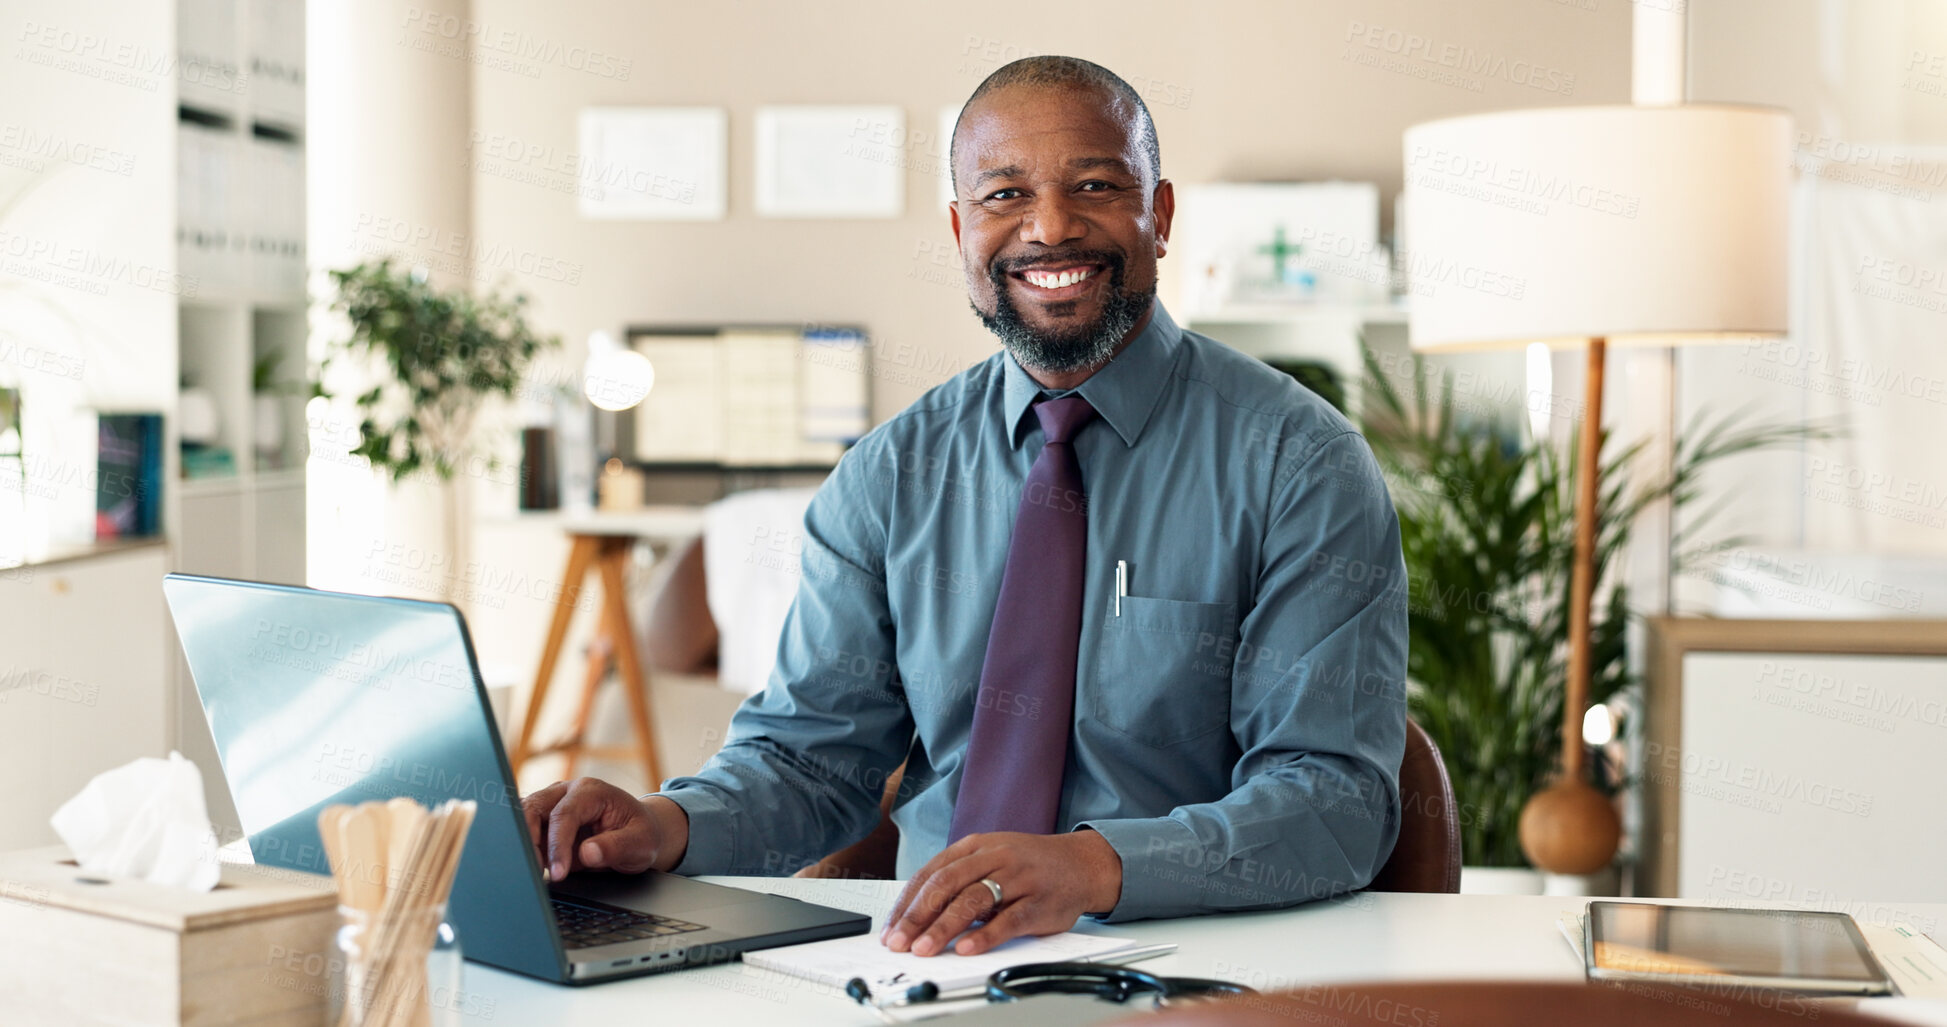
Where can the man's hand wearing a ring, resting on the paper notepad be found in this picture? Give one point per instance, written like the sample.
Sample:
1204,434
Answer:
1047,882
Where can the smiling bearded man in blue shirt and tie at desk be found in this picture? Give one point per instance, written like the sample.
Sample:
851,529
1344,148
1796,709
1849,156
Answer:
1128,605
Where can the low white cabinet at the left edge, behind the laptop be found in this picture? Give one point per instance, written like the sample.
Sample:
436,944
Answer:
85,679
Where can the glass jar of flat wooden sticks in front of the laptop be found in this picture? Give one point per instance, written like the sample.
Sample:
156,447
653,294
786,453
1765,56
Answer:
398,962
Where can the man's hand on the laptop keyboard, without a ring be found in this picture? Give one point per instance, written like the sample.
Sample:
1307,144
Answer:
595,825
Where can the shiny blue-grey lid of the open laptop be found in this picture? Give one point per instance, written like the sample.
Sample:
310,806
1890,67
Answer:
320,699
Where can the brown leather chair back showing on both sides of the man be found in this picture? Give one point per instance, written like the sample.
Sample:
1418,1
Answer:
1426,856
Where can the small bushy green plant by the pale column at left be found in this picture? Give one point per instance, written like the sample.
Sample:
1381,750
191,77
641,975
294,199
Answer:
437,358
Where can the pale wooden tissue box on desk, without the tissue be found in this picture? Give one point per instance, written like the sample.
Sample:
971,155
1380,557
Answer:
81,950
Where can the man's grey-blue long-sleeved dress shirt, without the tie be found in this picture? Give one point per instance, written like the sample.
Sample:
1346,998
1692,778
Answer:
1237,728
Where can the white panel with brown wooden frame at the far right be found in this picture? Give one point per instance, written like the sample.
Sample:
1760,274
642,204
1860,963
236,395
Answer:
1796,761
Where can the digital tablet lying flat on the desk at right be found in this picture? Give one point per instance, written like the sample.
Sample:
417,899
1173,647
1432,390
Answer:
1705,946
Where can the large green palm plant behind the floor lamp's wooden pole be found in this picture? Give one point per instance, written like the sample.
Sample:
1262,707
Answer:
1487,529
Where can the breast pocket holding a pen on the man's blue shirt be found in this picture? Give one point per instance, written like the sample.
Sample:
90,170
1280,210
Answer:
1163,669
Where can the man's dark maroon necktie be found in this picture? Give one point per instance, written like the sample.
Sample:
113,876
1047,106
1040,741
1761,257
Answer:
1027,683
